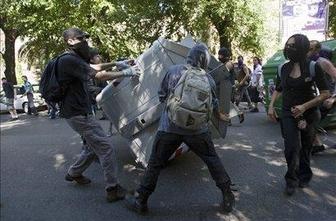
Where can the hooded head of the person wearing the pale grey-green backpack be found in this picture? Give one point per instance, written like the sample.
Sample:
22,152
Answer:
199,56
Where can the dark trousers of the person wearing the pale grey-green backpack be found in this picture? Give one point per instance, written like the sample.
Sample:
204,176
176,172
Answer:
164,146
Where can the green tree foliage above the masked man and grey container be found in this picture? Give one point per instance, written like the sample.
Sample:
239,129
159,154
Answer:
125,28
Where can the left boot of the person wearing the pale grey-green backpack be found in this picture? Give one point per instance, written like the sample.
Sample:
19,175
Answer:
137,203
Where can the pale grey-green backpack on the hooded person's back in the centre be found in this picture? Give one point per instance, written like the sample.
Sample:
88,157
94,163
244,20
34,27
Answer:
190,104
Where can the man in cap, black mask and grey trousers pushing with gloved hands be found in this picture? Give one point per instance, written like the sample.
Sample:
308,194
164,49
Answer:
74,73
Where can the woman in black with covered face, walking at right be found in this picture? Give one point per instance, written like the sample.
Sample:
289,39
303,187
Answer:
299,109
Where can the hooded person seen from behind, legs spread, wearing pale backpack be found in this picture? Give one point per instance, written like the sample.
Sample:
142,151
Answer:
190,100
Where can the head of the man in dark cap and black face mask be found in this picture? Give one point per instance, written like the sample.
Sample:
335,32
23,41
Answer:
76,41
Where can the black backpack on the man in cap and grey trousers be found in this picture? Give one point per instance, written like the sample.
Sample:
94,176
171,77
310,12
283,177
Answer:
50,89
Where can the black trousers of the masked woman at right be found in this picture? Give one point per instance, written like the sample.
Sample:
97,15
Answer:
298,146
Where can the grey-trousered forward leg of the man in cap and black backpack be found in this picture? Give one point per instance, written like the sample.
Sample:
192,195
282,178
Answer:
99,143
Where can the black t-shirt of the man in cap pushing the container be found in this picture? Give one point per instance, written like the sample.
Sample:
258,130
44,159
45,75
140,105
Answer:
75,73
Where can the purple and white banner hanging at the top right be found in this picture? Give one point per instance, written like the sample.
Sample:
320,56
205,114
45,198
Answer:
308,17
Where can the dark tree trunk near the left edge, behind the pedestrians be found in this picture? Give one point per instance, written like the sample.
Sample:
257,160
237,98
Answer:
9,55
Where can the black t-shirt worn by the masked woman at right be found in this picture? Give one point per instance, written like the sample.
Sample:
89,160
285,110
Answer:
296,91
